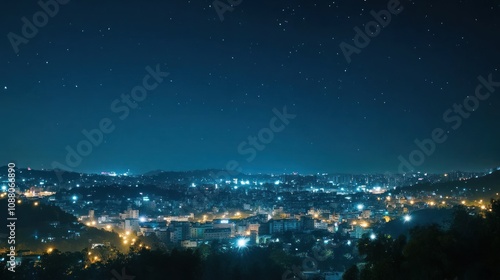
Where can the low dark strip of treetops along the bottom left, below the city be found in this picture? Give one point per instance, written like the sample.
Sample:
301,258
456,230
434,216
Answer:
249,263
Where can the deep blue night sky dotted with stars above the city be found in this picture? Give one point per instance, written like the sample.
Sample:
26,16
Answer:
226,77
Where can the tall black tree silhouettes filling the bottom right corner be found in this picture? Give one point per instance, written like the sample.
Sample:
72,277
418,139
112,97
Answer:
468,249
